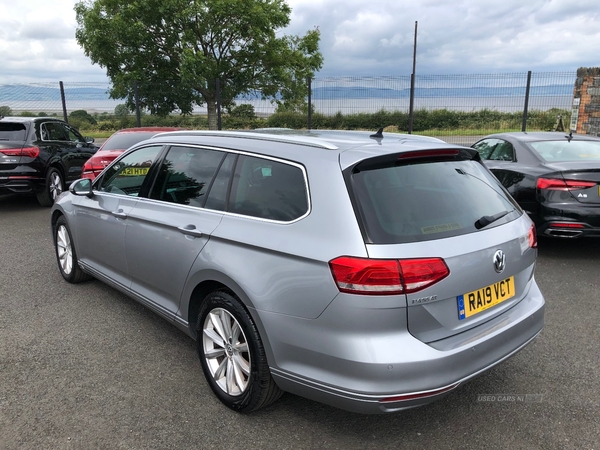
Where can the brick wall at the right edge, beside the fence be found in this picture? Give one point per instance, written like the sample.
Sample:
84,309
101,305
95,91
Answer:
587,90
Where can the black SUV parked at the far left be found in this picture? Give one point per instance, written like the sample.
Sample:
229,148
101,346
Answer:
40,155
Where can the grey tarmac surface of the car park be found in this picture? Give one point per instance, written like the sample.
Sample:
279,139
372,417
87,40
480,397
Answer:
85,367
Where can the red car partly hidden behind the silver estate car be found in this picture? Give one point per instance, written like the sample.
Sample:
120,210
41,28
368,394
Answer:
117,144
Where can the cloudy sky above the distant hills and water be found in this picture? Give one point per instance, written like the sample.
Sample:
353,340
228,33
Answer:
358,37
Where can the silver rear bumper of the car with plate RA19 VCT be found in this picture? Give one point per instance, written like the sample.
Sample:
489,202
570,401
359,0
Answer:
384,368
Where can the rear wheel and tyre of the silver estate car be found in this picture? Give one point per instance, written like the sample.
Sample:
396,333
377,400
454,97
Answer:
232,355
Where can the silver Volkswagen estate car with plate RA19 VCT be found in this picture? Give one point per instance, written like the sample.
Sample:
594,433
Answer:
371,272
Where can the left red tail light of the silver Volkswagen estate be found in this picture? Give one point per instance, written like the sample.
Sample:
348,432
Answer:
386,276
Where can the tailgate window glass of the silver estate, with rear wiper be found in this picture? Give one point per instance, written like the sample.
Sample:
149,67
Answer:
429,200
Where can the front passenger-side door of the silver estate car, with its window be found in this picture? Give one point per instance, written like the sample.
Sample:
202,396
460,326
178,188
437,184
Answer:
102,218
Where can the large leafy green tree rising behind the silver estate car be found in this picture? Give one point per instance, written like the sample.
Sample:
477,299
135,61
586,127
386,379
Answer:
176,49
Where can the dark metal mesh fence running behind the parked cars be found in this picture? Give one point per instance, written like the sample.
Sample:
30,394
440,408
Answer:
354,96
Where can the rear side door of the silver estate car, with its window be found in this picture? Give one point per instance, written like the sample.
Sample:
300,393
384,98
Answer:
166,231
